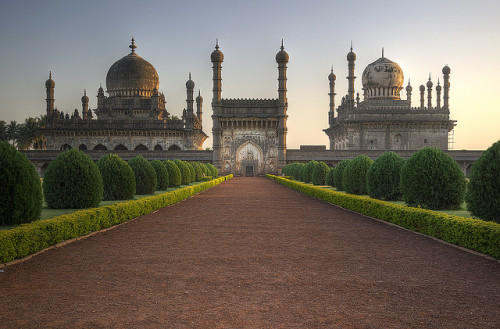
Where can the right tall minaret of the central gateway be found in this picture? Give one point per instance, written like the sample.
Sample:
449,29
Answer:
282,59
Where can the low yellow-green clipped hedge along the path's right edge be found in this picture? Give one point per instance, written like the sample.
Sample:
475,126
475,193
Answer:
470,233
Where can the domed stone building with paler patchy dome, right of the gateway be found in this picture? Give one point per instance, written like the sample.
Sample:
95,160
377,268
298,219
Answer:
384,121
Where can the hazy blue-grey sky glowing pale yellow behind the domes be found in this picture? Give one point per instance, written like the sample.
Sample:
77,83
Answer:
79,40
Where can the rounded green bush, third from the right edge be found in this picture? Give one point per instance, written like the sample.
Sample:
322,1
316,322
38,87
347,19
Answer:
382,179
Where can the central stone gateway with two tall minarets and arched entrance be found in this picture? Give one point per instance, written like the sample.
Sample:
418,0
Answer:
249,135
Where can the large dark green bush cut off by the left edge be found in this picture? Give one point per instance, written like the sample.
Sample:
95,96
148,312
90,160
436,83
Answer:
20,189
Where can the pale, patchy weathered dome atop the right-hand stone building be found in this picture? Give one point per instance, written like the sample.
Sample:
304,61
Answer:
383,79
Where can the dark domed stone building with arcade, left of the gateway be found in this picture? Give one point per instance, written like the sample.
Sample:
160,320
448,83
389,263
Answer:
132,117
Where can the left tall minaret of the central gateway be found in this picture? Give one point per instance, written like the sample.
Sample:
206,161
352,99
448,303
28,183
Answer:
217,58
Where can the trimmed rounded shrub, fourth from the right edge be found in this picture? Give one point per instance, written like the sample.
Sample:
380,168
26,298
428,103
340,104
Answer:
354,177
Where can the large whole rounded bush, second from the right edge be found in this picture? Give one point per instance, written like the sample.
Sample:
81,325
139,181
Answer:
432,179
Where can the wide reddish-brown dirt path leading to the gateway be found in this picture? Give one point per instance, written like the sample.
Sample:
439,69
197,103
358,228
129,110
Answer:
250,253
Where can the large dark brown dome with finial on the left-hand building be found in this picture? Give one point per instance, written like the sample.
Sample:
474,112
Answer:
132,76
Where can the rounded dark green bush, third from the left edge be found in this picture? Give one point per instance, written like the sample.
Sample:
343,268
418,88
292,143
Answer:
118,178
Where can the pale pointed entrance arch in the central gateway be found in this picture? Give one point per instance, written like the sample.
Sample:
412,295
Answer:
249,159
